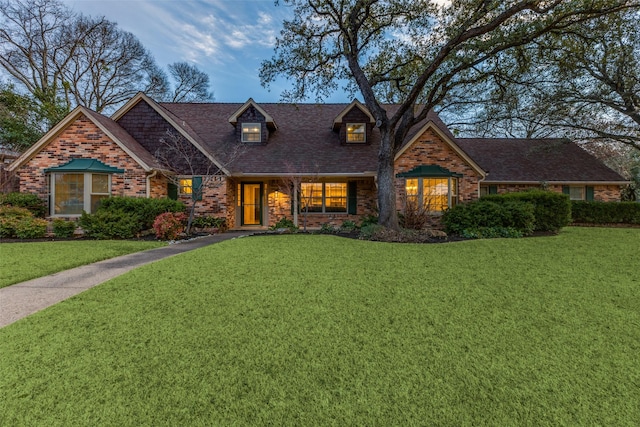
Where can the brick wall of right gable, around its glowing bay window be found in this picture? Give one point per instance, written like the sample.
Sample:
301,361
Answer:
430,149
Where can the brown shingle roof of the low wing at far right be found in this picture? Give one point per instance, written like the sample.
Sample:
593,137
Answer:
512,160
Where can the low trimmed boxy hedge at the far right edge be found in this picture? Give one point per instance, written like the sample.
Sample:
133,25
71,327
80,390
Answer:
605,212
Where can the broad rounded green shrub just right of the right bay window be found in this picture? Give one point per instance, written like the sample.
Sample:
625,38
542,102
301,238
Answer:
489,219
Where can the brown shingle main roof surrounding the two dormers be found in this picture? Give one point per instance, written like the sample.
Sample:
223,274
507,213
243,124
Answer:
303,143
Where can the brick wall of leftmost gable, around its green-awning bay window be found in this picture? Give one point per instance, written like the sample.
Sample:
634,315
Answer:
83,139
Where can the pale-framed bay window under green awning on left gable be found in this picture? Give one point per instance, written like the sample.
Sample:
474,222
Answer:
73,193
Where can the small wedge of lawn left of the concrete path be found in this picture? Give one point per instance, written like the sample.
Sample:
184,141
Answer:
25,261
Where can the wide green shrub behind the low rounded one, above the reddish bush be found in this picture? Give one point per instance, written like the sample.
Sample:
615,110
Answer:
144,210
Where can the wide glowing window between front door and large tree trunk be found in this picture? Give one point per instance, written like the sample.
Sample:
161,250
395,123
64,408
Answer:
324,197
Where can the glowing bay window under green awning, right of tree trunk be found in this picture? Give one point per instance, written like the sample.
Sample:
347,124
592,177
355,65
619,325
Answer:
433,194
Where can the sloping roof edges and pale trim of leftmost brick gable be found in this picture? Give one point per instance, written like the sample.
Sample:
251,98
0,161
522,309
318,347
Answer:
108,126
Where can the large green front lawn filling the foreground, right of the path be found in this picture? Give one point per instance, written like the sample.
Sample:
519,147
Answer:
319,330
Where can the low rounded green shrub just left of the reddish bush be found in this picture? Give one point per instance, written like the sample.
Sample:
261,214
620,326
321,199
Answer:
110,224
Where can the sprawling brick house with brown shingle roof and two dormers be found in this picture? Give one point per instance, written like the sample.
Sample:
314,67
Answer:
249,157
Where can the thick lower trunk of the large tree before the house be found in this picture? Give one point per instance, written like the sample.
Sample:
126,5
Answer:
387,213
